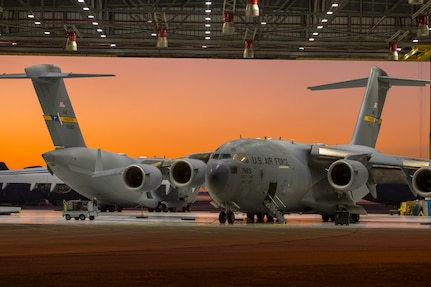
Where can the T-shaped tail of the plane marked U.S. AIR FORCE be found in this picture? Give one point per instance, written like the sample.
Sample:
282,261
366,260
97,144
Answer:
369,119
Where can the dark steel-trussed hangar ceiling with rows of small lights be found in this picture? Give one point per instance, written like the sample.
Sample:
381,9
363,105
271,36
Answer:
283,29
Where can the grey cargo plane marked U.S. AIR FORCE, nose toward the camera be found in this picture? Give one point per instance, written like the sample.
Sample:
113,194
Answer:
275,177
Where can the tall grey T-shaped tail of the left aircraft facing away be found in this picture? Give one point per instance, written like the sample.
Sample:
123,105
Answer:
54,100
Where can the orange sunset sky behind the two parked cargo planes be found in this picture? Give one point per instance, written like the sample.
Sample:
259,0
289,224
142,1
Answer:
173,107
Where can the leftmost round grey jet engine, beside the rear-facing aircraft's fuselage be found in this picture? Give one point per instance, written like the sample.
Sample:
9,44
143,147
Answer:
142,177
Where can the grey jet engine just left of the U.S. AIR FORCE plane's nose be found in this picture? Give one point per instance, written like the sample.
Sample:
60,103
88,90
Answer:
187,172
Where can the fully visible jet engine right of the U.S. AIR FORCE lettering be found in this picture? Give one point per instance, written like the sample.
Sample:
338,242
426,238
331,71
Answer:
347,175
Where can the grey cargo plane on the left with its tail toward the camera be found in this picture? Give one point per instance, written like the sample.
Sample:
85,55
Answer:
116,180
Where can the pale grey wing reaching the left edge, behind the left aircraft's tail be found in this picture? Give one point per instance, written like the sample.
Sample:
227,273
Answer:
34,176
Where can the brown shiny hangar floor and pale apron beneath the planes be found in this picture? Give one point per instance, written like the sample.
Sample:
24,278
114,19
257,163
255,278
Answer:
40,248
